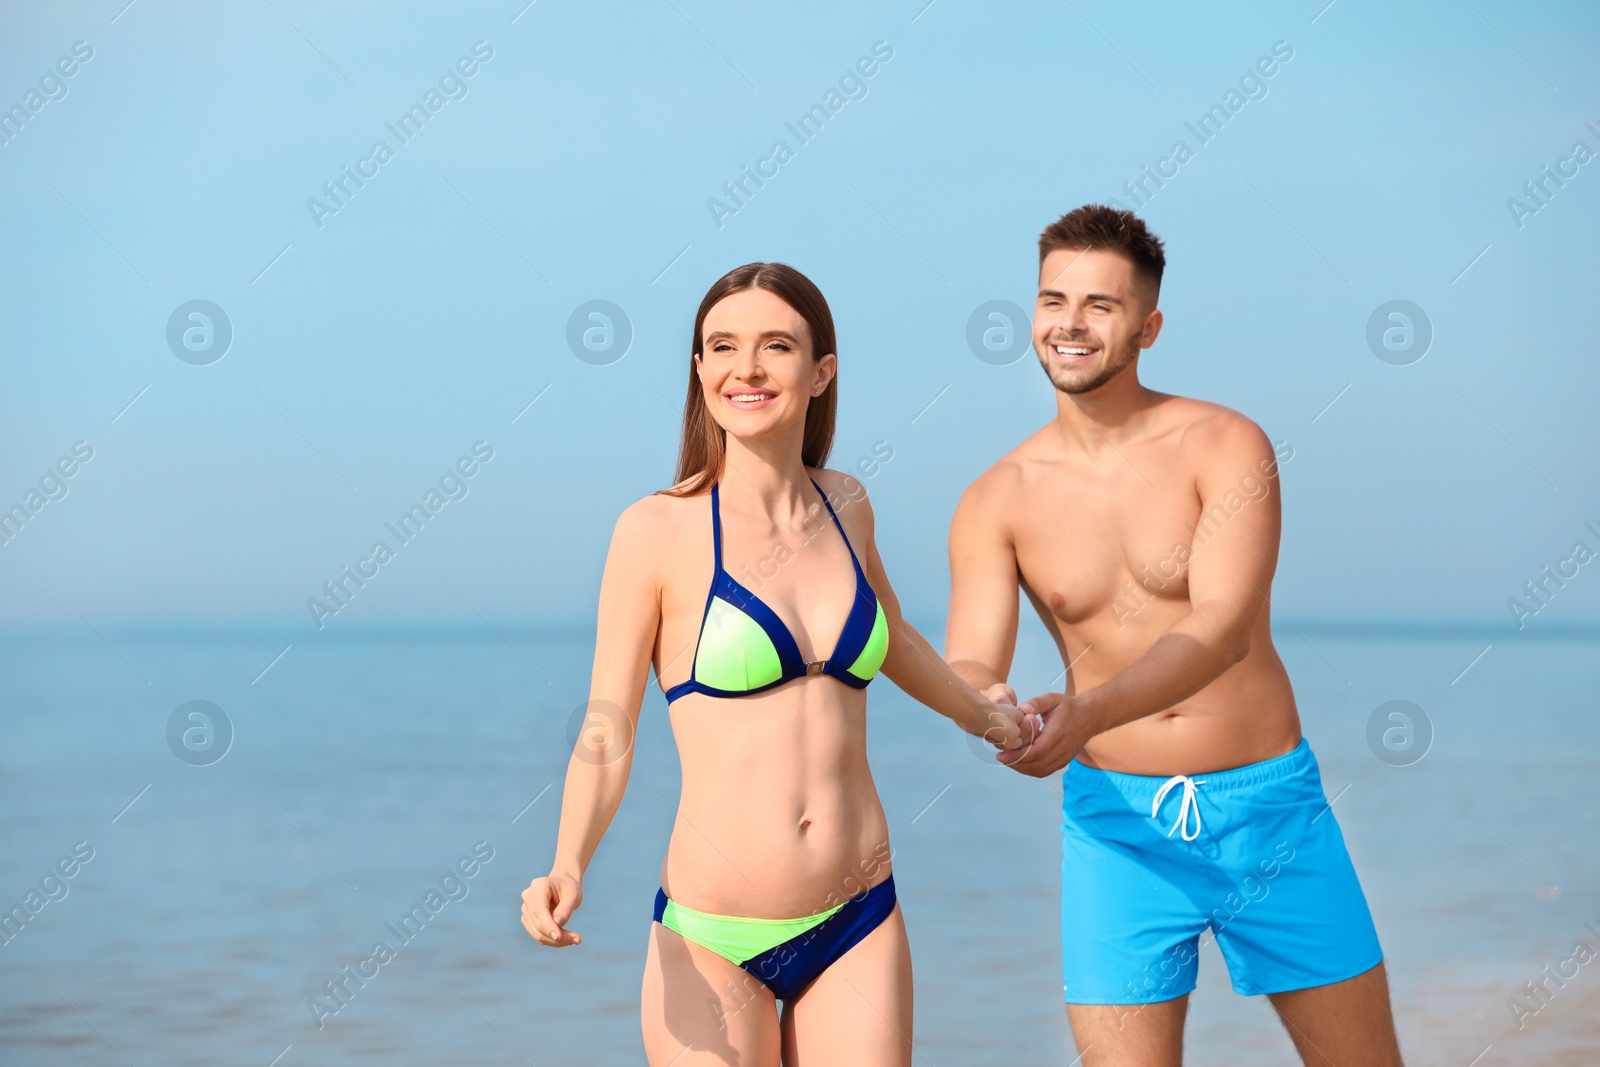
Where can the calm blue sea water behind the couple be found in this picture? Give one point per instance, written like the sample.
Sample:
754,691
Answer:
364,767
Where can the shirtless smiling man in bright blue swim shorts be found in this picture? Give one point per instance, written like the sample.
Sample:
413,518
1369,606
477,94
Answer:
1145,530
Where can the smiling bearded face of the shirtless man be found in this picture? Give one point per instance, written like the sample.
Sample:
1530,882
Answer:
1092,318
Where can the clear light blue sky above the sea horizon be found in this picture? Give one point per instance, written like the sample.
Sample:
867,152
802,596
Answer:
375,346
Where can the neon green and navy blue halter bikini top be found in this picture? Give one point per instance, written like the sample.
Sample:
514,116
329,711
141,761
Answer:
746,649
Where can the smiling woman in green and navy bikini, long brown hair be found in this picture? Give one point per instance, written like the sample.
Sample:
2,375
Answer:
777,884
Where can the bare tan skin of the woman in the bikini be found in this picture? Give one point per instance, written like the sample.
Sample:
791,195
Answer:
778,815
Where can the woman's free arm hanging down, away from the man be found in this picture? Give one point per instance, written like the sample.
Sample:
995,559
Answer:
598,773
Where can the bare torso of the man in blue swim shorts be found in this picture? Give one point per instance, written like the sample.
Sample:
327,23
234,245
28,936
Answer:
1103,545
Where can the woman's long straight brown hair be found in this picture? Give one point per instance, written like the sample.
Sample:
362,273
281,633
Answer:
703,447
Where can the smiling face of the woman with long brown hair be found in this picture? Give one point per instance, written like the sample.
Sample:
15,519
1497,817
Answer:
758,366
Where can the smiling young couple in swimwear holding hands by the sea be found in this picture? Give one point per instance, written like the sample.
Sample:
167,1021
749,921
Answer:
1143,529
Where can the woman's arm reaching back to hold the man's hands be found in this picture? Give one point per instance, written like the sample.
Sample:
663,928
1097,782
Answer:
913,663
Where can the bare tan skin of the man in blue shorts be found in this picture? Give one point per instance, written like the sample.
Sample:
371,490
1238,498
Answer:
1164,615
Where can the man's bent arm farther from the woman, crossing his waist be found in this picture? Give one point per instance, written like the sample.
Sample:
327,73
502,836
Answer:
1230,575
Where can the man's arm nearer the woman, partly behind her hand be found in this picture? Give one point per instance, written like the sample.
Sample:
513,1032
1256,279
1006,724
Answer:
980,636
